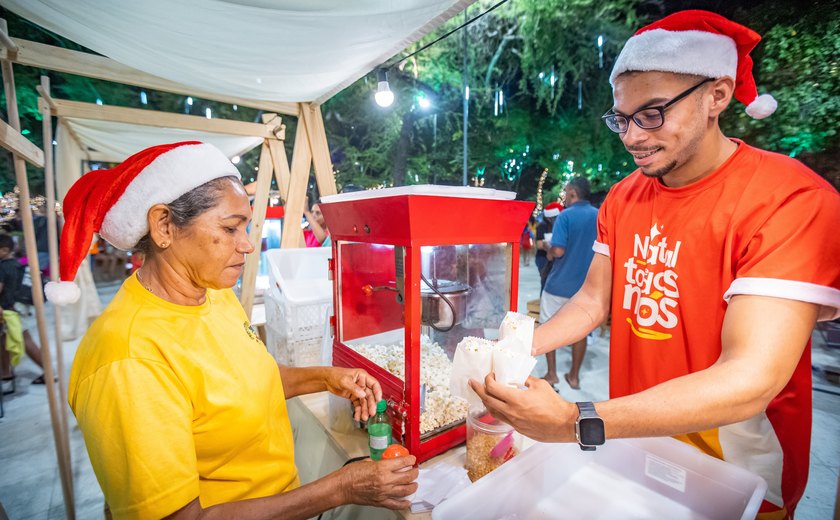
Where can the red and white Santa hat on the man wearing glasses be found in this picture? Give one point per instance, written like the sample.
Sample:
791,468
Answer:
701,43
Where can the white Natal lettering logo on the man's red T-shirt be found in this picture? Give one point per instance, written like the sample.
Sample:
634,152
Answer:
650,291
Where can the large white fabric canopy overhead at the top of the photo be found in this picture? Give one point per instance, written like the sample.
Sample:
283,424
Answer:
274,50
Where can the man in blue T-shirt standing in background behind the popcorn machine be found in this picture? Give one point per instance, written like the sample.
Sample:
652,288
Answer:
573,233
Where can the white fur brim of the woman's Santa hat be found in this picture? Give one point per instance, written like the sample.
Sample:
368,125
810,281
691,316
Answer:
166,178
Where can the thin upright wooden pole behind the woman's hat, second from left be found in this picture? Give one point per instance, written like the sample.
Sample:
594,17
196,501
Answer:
52,237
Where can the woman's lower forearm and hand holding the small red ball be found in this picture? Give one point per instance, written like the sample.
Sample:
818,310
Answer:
381,484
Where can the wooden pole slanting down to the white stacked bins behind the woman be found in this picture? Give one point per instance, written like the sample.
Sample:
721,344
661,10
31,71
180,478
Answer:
301,163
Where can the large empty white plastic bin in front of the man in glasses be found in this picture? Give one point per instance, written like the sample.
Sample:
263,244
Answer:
627,479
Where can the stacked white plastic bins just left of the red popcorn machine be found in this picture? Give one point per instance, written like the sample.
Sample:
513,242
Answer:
297,304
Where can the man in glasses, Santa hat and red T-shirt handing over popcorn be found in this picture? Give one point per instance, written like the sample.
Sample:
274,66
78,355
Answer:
715,259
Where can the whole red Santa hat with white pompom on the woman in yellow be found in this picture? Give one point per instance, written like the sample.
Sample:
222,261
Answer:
115,202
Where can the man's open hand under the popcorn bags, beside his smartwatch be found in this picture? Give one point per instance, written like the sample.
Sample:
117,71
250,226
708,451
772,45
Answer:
538,412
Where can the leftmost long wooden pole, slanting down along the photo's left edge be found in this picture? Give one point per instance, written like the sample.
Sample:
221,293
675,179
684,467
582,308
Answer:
65,469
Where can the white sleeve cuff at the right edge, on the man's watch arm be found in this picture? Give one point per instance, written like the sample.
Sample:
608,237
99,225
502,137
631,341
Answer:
827,297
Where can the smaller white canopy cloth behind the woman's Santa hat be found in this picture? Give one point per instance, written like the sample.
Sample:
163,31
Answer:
114,142
